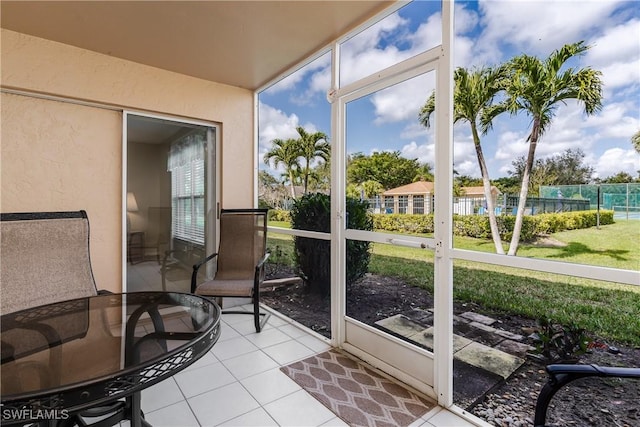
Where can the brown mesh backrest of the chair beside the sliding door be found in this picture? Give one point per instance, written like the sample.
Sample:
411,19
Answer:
243,242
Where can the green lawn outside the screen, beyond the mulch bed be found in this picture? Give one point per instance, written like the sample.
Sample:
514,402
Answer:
608,310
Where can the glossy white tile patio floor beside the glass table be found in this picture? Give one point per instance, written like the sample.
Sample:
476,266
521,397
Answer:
239,383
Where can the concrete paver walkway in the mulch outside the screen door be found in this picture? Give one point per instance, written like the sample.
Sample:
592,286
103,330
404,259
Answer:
484,355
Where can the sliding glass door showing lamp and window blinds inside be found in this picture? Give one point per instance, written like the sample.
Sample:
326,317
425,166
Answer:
171,189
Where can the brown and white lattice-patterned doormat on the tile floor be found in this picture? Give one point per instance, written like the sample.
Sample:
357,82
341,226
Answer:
356,393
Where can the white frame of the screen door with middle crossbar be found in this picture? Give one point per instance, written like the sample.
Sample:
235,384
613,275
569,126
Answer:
411,364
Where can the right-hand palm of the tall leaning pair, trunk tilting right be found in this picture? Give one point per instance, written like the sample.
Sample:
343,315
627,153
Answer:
539,88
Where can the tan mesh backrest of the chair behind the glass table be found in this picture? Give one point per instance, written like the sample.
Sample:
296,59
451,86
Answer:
45,259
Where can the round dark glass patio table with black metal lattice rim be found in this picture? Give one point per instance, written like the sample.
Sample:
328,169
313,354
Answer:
70,361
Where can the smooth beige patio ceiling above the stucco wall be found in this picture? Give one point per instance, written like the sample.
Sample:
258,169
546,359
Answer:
240,43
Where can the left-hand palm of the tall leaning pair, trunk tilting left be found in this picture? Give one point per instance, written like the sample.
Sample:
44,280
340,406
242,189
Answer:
473,96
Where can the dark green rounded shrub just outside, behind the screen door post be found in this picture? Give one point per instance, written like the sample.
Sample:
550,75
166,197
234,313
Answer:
313,256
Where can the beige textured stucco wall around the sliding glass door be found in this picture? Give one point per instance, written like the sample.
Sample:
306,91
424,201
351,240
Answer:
58,156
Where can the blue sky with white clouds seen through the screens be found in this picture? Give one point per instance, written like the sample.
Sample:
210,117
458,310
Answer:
486,33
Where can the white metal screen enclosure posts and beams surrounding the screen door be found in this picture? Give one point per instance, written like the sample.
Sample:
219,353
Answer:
442,242
